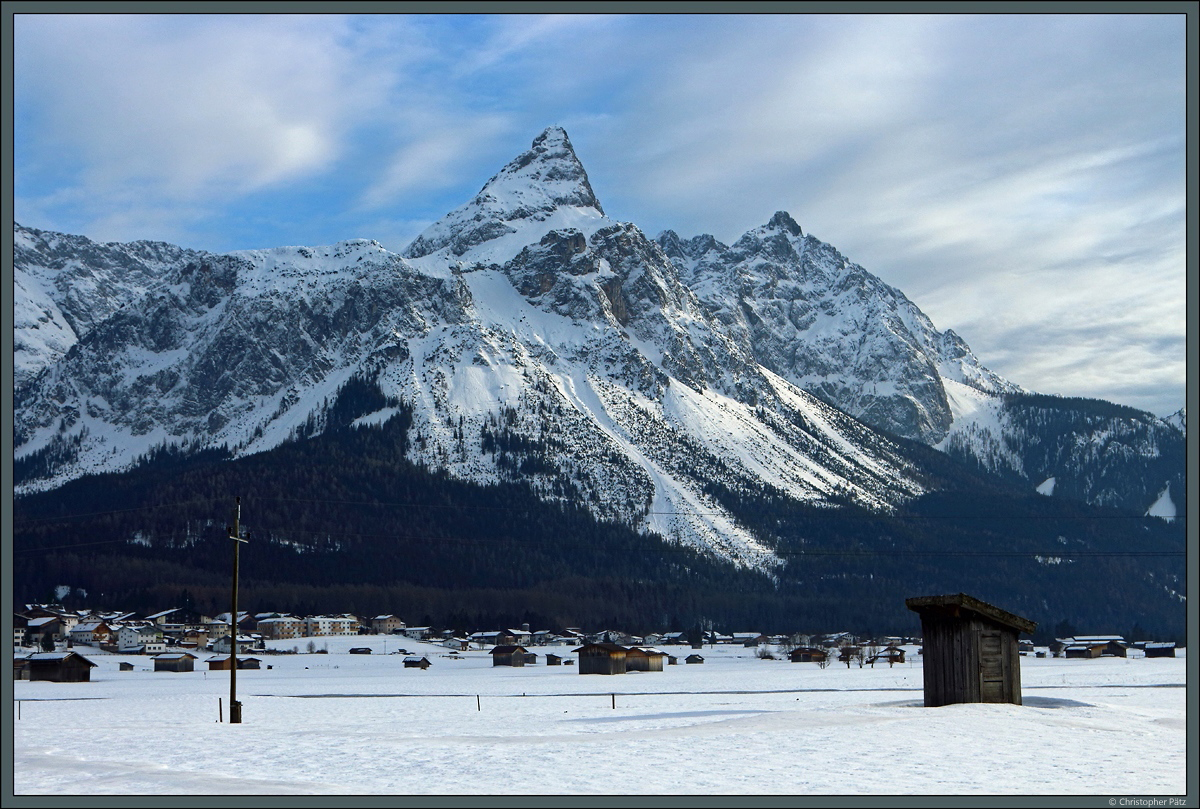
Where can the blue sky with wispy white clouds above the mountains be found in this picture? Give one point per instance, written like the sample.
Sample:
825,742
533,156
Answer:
1021,178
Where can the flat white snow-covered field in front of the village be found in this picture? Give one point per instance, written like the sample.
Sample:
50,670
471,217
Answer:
343,724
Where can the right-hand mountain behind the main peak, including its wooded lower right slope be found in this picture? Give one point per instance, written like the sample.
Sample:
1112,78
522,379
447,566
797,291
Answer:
827,326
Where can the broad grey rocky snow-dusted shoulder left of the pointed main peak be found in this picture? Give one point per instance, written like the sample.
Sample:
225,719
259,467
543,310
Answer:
229,351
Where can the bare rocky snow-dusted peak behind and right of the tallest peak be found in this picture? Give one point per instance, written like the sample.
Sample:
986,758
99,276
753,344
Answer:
831,327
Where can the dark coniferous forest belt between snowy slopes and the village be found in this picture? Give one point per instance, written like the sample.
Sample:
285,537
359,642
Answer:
341,522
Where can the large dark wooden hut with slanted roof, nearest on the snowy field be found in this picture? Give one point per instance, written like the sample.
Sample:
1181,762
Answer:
970,650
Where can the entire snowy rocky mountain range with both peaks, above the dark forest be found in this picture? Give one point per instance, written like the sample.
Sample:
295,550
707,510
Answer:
638,376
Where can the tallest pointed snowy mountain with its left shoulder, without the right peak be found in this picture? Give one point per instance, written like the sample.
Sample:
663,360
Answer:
526,316
